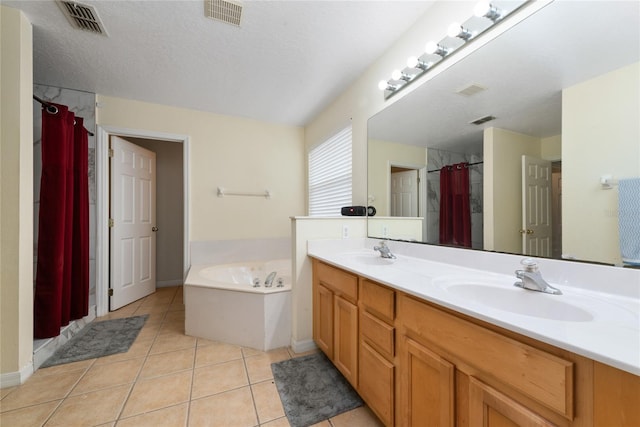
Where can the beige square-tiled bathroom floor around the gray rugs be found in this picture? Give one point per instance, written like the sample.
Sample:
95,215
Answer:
165,379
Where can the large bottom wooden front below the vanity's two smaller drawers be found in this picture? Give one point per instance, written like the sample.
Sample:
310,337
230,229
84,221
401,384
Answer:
376,383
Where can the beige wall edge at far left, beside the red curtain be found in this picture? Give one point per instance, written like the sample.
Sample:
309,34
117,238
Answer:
16,198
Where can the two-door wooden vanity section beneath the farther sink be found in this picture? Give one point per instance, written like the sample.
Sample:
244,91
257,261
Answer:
335,317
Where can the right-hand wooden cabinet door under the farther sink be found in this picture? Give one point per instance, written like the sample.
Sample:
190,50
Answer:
345,354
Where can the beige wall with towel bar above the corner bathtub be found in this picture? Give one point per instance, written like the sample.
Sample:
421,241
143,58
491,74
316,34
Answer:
233,153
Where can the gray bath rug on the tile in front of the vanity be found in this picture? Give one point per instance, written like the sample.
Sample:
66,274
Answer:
312,389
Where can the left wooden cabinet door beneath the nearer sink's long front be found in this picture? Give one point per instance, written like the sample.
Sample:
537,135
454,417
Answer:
427,388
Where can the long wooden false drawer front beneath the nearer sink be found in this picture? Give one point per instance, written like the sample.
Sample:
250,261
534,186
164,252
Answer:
535,373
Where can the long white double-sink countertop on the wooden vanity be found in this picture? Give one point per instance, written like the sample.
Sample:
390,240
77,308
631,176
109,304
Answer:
601,326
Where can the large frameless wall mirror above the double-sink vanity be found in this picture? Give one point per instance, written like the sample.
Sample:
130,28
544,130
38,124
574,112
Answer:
558,98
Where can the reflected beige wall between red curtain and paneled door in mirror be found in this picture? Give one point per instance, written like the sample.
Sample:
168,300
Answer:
503,152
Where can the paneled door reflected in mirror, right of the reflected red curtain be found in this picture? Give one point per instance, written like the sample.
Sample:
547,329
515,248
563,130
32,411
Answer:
536,207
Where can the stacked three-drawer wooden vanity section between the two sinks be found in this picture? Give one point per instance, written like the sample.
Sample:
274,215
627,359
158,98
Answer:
377,349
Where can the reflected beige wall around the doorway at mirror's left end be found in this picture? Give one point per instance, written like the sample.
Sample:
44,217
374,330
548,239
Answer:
379,155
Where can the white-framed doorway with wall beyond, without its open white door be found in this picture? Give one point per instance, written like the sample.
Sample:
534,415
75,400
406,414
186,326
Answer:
169,229
